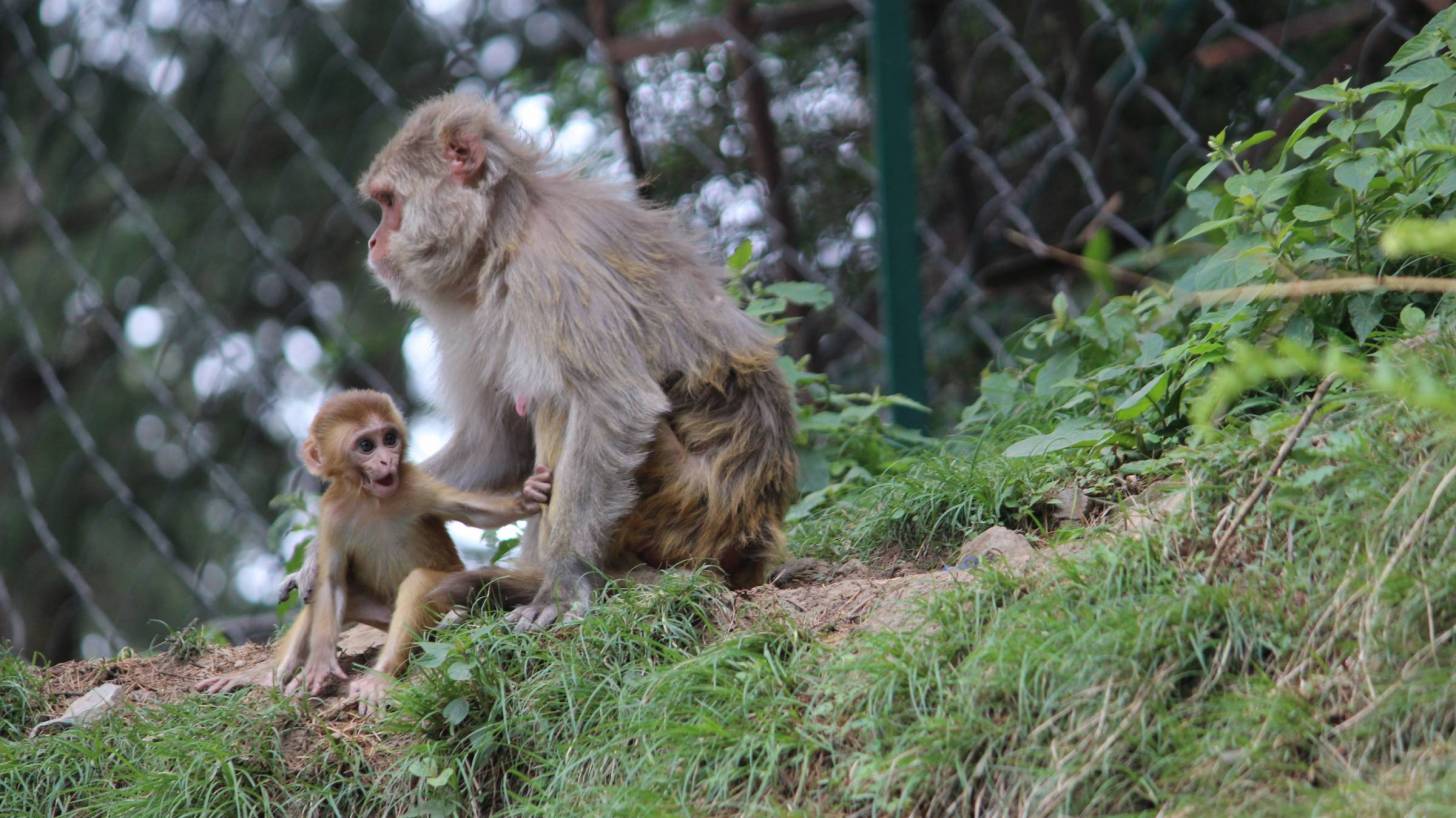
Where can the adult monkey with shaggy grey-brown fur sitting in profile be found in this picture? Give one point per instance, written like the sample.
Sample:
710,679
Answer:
583,330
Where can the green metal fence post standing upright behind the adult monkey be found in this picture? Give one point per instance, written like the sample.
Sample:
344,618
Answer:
899,253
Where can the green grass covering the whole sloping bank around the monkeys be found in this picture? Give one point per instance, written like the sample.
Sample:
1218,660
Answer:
1311,676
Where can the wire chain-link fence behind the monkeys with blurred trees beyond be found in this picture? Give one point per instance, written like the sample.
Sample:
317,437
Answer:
181,273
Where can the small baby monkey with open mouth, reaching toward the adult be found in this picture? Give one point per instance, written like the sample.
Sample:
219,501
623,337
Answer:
382,549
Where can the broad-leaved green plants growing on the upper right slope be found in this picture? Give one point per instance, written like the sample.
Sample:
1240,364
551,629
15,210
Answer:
1125,375
